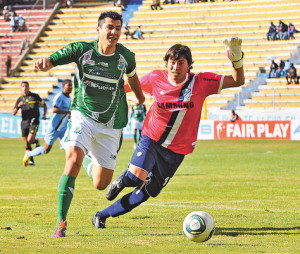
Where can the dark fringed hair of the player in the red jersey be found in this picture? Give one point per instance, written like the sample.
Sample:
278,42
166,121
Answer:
177,51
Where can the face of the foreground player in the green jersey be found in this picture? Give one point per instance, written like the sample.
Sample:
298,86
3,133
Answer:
109,32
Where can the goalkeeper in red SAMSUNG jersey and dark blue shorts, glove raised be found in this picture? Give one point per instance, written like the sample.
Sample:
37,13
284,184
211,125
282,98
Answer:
171,125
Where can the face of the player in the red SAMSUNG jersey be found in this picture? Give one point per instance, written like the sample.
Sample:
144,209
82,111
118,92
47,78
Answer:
178,69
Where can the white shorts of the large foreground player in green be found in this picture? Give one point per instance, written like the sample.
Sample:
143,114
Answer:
97,140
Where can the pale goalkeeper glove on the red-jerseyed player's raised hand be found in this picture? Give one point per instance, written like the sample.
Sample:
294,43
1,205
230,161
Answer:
234,51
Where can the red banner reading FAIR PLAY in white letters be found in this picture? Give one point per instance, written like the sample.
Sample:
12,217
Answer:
253,130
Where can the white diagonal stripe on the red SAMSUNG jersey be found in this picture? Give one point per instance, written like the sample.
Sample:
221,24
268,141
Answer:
179,117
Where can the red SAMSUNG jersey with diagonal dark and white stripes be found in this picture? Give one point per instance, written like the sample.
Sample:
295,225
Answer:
173,119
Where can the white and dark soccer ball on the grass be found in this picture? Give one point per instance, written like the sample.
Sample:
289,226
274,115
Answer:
199,226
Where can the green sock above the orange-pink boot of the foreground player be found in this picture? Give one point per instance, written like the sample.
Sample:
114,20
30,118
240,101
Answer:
65,194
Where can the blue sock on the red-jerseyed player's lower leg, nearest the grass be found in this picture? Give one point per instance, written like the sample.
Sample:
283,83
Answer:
125,204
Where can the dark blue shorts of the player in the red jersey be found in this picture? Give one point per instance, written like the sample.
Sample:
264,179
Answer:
160,163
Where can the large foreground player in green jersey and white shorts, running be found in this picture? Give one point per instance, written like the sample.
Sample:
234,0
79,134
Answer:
99,110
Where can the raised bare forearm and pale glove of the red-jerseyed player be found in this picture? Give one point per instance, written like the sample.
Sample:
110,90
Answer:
235,55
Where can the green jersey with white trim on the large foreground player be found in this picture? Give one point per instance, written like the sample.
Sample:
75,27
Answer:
98,81
